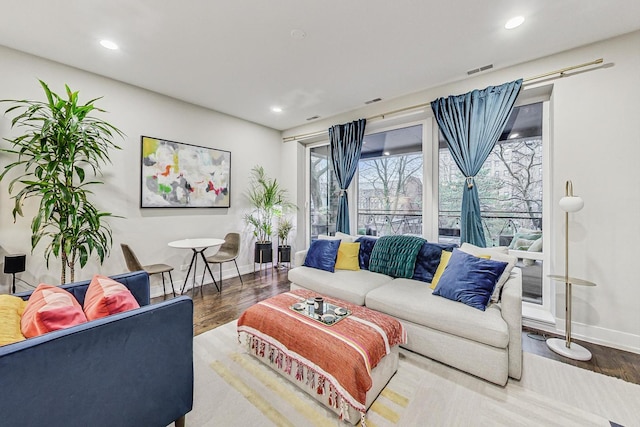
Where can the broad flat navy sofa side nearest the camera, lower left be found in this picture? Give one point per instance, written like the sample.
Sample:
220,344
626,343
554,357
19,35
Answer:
131,368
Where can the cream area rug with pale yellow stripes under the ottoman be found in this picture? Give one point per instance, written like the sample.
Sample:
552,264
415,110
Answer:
234,389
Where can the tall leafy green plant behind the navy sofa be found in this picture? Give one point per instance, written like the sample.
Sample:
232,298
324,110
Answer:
62,144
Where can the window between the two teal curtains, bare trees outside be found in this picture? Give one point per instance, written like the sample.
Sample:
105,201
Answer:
390,183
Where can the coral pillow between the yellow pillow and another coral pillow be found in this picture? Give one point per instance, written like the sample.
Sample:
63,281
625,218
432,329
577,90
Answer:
50,308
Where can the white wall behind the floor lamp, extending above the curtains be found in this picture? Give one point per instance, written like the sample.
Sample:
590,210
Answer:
595,142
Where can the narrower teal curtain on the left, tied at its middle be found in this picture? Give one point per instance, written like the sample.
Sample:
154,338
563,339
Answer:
346,146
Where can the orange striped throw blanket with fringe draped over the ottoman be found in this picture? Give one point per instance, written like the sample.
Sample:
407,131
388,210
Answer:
342,355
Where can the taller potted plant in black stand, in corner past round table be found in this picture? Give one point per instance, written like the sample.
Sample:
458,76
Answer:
268,199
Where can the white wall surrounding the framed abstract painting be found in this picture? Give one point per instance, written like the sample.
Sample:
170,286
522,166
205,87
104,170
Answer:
136,112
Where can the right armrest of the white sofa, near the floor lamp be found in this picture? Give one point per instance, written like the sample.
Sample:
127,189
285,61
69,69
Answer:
511,305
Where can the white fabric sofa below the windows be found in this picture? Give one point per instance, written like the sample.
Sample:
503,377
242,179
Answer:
487,344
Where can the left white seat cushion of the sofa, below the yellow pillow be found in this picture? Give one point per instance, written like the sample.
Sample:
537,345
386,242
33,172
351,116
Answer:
351,286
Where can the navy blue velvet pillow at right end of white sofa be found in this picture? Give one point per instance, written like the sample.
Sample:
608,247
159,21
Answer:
469,279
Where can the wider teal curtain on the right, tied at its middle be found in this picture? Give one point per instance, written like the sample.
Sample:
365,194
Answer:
471,125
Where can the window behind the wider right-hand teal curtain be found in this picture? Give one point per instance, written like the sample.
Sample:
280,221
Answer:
510,197
